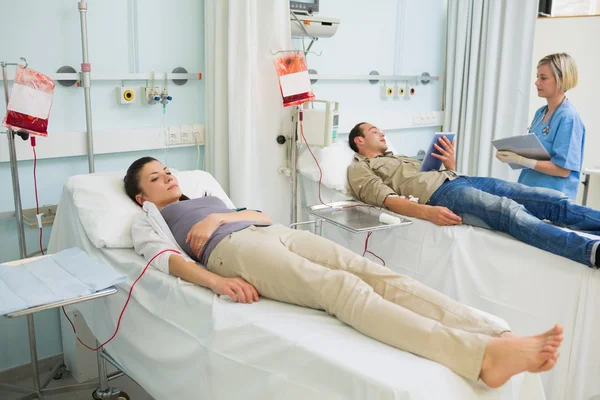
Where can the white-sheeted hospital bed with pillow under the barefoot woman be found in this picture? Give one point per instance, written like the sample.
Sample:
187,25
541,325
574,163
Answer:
180,341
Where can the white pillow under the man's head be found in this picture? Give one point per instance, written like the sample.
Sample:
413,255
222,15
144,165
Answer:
334,161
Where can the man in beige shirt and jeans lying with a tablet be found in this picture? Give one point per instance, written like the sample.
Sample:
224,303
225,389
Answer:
377,177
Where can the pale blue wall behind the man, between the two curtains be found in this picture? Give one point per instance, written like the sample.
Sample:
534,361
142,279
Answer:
399,37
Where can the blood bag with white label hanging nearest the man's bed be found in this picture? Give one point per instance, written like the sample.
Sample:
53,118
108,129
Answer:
294,80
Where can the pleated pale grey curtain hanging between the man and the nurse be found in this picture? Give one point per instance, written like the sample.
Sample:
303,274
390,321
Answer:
488,74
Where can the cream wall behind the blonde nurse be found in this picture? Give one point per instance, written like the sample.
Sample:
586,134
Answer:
578,37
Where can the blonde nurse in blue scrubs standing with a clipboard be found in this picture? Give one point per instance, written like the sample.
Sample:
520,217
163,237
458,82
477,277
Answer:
559,128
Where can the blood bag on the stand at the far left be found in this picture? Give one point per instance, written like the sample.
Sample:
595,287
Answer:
30,102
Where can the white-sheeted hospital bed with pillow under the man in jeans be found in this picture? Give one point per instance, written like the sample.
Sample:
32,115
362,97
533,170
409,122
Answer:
529,288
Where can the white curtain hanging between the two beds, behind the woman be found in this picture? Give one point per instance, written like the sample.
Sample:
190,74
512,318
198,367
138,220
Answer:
244,112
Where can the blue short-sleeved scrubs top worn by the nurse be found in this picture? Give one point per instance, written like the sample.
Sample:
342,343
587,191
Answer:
565,143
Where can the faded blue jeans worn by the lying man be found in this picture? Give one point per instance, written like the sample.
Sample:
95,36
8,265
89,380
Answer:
519,210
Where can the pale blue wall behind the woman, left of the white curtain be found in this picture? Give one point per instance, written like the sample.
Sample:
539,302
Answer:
47,33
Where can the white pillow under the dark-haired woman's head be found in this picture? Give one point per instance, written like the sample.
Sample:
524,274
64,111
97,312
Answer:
106,212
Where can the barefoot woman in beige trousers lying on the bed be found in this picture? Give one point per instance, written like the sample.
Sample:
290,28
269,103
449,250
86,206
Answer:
241,254
